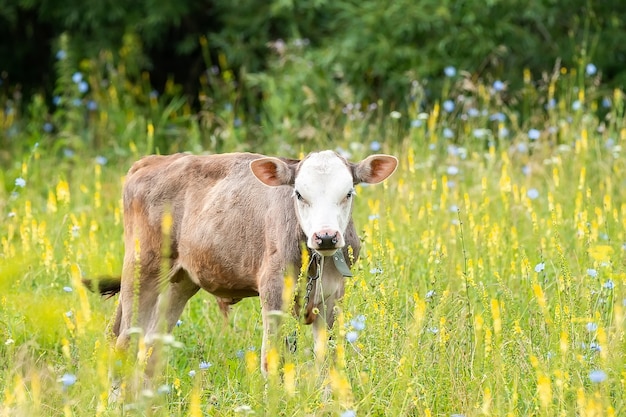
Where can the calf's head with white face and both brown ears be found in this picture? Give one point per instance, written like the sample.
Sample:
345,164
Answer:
323,185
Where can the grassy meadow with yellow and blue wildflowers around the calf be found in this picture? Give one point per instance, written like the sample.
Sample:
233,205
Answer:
492,279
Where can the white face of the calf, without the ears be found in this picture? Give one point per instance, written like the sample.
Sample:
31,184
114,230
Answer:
323,190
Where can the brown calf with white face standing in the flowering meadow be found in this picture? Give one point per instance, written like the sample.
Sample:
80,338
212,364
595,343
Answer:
238,222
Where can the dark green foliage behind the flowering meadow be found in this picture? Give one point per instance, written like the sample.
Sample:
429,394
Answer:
377,48
